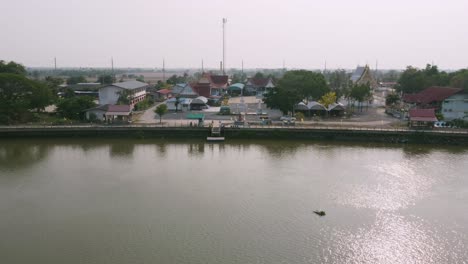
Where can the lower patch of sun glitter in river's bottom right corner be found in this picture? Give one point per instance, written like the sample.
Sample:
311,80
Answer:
396,239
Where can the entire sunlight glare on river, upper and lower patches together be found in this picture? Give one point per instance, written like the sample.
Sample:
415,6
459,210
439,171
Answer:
388,188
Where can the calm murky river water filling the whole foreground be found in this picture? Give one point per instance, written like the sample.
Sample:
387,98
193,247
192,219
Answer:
152,201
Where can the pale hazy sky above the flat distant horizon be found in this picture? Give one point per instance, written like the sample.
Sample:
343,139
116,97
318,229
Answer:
304,33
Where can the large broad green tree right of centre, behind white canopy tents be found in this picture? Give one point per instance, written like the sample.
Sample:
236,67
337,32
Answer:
294,87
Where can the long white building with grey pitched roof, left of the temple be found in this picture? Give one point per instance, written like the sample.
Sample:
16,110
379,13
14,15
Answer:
110,94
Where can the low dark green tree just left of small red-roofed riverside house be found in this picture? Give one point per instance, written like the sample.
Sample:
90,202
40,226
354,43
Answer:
74,107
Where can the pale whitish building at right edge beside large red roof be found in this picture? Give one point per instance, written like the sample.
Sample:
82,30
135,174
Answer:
455,107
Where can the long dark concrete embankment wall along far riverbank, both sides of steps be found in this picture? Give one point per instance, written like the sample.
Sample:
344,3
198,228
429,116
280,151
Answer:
363,135
